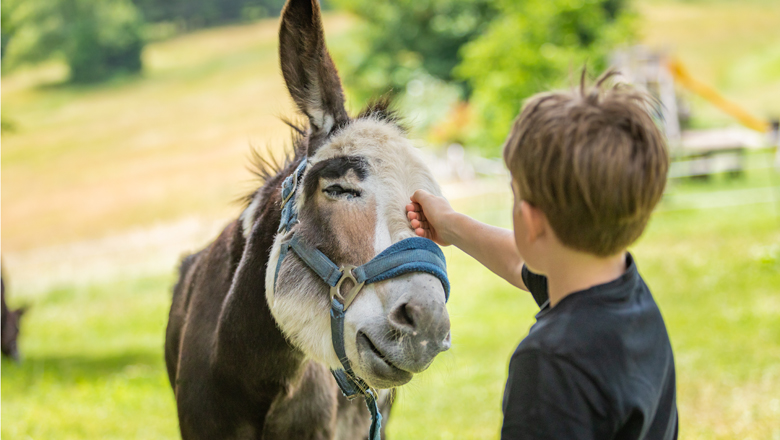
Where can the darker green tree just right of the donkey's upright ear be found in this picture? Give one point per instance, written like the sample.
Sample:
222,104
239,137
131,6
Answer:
404,40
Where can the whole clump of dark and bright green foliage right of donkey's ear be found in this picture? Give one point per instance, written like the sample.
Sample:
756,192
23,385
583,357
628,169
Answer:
497,52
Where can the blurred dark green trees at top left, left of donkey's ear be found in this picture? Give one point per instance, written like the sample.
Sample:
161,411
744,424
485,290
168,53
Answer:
100,38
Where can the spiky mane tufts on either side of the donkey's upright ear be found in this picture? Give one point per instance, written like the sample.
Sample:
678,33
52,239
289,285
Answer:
264,166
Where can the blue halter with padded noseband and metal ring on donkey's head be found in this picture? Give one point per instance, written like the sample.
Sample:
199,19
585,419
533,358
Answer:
413,254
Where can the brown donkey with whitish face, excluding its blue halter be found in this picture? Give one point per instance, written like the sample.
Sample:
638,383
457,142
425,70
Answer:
248,345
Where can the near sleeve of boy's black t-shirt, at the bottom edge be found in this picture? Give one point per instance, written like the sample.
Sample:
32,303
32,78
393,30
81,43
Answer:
547,397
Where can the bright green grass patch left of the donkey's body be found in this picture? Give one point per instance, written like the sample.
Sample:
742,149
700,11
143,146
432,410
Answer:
92,366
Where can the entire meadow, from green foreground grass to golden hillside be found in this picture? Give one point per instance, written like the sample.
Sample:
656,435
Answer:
85,163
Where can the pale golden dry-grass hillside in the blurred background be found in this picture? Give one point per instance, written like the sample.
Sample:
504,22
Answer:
86,162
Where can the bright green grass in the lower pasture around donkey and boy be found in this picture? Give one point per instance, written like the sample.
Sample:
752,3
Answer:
93,355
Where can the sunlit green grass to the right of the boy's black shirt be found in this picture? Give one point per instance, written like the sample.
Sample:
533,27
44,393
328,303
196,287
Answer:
716,274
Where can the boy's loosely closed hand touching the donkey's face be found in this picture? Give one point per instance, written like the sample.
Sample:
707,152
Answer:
428,216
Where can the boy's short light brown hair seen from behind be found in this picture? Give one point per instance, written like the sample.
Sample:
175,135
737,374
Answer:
593,161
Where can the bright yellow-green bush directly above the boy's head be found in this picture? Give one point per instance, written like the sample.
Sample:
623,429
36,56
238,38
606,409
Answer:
532,46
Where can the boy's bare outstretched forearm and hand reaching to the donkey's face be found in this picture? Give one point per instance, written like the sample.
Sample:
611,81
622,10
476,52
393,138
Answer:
433,217
